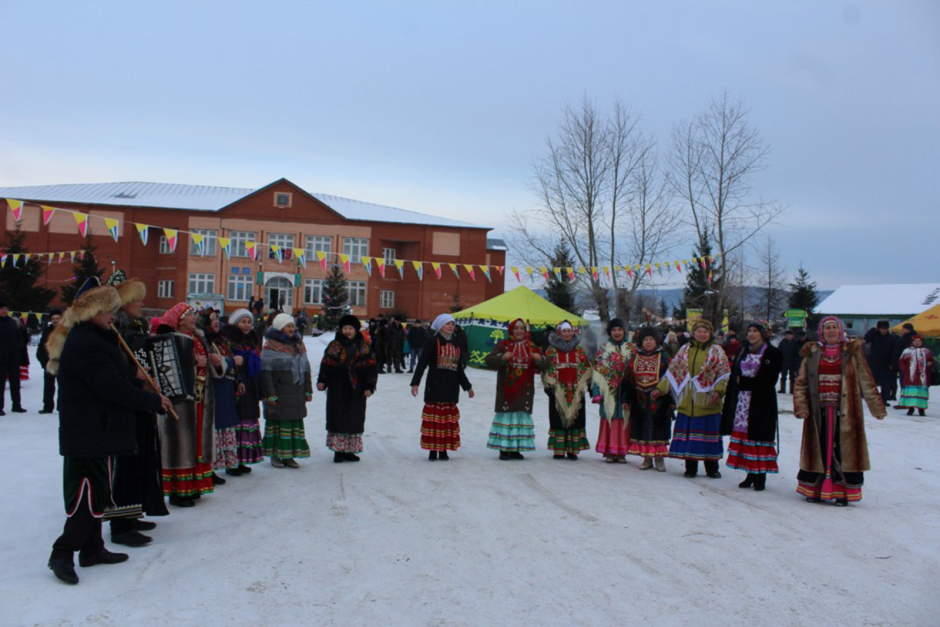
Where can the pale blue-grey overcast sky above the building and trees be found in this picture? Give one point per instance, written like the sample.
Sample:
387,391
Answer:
443,107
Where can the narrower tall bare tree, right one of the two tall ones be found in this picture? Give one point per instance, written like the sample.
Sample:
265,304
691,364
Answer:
713,161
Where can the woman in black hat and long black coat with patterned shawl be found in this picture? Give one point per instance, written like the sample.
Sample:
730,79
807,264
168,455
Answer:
348,373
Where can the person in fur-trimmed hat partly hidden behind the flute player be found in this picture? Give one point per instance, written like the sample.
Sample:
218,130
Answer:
137,478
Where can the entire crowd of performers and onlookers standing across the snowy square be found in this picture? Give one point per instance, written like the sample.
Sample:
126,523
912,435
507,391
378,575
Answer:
130,445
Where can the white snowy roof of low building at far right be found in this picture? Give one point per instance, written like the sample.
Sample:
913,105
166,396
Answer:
874,300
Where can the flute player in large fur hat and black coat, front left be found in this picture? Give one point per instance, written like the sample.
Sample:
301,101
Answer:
98,395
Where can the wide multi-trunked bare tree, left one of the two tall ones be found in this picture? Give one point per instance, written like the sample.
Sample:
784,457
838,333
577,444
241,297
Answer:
598,193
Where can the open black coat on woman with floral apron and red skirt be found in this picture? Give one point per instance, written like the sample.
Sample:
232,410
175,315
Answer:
762,416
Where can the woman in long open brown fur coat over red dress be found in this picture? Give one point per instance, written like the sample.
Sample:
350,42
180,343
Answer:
833,379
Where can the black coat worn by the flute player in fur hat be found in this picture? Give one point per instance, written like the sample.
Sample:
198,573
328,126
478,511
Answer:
98,395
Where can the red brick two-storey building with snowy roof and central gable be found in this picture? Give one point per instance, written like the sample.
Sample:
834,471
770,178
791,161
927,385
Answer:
281,214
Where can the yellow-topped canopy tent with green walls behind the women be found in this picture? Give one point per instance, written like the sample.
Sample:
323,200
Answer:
486,322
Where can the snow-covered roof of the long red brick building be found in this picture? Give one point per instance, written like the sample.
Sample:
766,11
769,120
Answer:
208,198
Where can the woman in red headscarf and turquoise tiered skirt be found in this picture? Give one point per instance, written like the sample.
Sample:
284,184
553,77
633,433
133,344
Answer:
515,360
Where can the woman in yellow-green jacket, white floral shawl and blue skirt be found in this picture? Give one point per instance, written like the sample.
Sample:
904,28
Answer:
697,376
